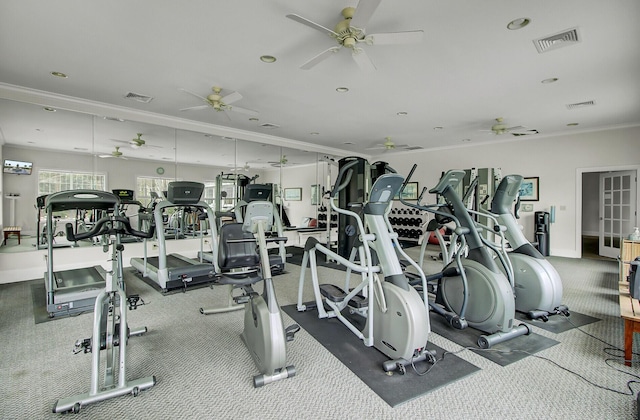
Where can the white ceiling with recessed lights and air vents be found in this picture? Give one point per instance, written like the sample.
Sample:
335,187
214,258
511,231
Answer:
469,70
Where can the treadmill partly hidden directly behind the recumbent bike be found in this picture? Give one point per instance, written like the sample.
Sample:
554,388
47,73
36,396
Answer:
256,192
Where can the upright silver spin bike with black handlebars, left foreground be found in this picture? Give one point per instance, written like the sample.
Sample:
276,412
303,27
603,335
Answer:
110,328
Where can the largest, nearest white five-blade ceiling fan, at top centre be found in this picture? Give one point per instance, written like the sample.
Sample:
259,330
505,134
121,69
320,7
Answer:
351,31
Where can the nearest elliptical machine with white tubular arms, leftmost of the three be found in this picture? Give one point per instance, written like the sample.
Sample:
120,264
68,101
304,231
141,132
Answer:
396,317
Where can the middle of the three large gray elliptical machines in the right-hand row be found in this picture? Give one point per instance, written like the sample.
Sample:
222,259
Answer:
471,291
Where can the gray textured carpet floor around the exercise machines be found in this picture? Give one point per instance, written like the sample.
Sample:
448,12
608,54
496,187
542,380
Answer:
204,371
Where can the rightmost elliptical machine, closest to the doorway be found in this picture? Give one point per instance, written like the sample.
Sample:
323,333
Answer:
537,284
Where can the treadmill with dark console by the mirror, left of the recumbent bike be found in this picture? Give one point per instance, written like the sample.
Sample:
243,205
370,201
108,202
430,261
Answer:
174,271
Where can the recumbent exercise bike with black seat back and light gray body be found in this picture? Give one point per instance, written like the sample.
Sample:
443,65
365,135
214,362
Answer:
241,266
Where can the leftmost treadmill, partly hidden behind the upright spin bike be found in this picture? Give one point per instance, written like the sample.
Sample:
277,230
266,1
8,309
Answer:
74,291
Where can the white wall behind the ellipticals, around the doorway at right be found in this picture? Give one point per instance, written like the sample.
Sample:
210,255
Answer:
556,160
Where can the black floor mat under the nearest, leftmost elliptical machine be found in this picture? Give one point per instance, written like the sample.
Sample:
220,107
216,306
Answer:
366,362
